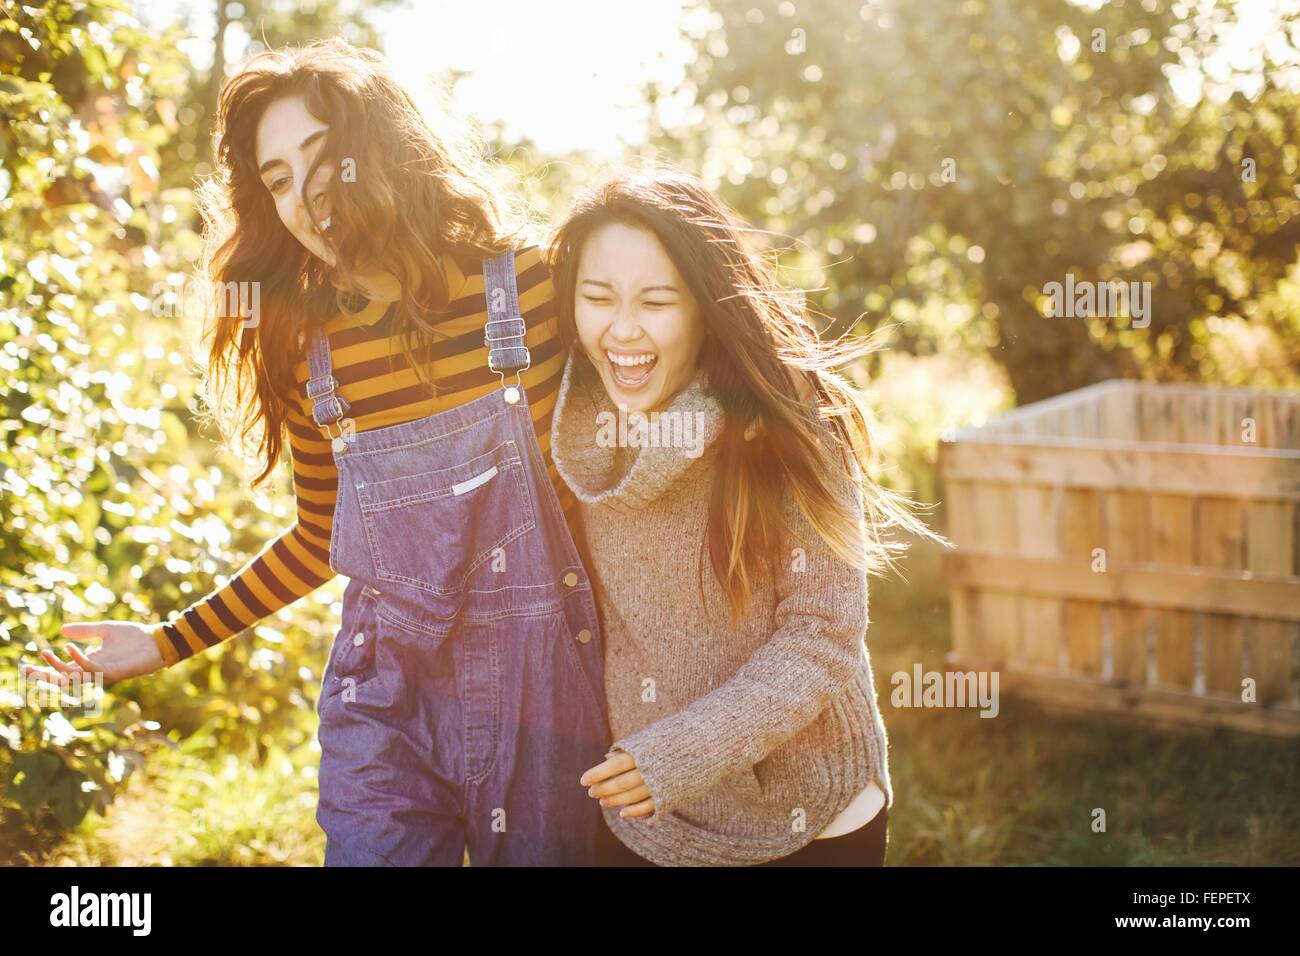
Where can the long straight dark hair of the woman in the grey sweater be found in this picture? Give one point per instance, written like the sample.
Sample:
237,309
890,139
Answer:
764,352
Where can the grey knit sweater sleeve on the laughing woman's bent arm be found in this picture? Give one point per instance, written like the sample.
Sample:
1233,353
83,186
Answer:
817,648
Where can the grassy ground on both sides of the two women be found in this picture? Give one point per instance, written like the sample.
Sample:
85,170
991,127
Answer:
1015,790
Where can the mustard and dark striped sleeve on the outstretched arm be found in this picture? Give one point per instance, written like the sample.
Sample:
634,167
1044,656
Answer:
293,565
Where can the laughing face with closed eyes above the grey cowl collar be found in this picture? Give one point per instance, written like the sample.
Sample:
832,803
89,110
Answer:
636,319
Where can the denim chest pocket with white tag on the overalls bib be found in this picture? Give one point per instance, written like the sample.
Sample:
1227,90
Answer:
434,530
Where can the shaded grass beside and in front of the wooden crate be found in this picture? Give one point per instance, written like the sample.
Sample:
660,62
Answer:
1021,789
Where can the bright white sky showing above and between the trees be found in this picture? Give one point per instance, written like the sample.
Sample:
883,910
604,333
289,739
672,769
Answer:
569,73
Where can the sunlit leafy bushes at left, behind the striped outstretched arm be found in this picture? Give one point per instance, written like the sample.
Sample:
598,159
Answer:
111,507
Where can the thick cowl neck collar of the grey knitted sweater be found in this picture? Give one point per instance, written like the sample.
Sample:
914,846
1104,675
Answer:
619,458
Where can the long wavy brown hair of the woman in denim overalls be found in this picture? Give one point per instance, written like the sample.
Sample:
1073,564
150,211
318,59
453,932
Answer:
418,196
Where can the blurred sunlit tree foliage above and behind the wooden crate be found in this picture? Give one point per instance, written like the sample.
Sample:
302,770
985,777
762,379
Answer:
1065,152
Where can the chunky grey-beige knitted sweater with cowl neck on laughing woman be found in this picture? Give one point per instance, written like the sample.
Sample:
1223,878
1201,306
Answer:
749,739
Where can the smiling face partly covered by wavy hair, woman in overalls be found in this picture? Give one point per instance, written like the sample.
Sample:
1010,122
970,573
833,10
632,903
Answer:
289,137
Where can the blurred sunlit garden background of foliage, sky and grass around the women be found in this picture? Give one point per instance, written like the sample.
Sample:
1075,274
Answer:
921,168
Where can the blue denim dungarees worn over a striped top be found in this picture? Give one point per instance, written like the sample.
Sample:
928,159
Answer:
465,694
